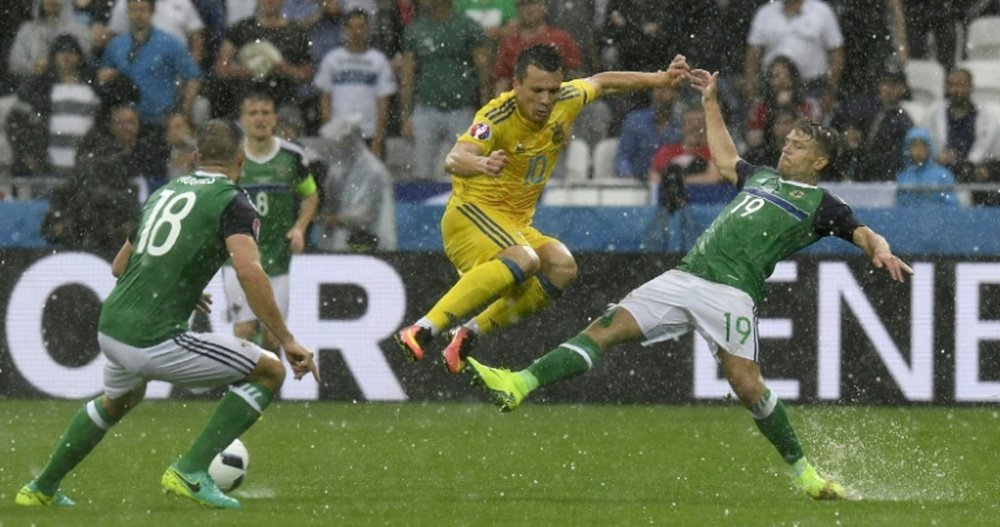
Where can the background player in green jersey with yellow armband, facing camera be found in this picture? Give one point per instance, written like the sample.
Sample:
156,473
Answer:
284,193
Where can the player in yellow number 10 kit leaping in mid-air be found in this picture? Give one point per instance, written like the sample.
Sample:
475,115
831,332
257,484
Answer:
499,168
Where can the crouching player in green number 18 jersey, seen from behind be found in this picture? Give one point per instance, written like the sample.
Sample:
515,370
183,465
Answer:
188,229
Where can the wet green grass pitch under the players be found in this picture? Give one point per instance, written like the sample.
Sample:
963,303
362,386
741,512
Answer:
467,464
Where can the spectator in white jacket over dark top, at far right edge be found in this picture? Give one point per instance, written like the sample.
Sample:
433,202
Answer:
966,135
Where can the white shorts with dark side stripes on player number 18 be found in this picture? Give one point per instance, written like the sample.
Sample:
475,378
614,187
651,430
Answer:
197,361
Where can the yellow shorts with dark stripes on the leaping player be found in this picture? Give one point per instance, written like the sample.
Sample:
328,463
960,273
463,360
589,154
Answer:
474,234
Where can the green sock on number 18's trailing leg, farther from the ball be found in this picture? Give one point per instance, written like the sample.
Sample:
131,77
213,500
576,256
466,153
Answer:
86,429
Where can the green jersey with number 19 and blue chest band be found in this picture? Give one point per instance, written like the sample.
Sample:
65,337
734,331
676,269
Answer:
769,219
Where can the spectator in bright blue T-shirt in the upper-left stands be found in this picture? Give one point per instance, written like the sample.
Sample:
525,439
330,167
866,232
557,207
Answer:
158,64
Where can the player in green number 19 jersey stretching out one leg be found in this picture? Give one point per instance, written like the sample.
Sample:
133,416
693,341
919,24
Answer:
716,288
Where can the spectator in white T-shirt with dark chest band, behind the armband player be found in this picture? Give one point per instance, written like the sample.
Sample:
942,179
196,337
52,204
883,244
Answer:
355,78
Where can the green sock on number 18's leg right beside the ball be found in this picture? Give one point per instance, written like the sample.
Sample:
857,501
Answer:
238,410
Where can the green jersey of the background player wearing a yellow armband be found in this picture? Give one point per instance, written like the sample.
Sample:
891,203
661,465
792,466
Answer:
275,184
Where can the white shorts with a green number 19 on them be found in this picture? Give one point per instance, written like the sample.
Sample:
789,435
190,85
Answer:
676,302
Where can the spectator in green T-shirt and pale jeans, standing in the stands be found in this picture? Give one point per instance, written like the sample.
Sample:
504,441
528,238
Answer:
444,74
